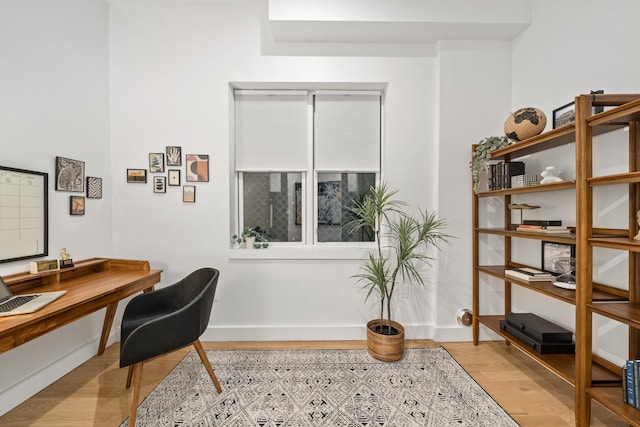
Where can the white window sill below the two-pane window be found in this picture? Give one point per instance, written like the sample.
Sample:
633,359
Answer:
323,253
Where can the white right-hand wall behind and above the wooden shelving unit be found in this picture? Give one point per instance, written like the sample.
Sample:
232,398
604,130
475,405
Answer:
571,48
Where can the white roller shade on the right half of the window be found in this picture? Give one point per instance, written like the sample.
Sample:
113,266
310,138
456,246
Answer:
347,131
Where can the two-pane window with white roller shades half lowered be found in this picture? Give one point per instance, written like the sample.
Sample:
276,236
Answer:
302,158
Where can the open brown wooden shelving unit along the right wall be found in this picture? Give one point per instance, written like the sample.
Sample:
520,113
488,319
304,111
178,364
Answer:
593,377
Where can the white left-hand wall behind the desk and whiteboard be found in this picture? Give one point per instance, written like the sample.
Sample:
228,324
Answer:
54,102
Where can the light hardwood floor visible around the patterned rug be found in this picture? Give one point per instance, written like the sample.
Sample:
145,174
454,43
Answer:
94,394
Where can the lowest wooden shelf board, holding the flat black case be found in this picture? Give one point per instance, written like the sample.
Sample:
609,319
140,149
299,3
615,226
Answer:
563,365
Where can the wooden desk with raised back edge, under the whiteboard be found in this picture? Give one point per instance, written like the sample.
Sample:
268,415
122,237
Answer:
91,285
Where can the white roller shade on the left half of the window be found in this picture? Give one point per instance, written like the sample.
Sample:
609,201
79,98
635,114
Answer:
271,130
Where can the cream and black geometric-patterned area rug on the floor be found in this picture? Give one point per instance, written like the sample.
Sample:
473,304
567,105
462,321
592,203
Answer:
321,388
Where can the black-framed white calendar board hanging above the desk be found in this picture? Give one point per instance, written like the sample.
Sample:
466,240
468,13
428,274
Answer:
23,214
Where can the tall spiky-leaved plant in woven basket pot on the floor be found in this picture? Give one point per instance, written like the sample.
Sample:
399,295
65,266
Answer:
402,244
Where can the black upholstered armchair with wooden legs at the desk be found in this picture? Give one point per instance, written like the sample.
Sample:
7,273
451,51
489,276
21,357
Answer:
164,320
